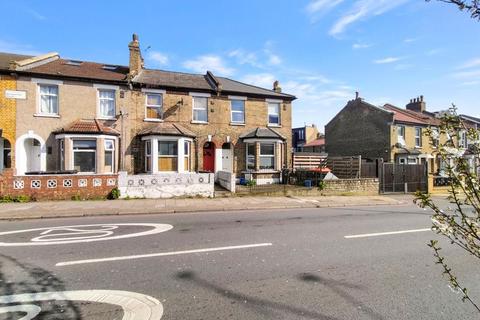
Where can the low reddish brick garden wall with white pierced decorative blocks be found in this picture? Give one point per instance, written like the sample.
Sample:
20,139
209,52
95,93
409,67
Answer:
58,186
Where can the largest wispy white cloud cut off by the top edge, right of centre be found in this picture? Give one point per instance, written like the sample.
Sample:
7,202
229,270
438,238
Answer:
361,10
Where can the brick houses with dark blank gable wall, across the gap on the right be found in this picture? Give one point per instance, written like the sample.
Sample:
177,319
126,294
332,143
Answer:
390,133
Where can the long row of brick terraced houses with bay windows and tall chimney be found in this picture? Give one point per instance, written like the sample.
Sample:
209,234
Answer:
89,117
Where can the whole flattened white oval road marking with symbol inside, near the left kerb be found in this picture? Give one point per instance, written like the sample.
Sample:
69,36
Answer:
73,234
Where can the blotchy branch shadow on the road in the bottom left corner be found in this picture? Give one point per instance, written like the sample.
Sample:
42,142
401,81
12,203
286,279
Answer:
17,278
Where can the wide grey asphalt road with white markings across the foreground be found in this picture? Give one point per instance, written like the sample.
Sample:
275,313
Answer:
281,264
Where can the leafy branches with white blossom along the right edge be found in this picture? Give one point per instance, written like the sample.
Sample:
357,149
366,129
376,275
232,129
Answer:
461,225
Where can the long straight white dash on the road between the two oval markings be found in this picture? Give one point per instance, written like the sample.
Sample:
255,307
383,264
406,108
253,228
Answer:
161,254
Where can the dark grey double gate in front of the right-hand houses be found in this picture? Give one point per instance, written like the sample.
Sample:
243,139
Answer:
404,178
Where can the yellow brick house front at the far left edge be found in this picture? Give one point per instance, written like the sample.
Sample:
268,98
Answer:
8,111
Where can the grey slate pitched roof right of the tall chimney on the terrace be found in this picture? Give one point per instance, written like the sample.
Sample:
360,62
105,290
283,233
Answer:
207,82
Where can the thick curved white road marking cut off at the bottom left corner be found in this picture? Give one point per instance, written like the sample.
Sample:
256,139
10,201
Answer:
135,306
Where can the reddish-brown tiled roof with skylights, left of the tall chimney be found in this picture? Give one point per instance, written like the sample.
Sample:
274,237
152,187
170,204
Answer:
82,69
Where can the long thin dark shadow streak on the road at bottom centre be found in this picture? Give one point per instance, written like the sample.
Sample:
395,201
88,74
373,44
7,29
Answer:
262,306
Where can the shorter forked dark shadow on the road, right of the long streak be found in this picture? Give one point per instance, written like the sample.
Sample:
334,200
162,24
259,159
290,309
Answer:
341,288
